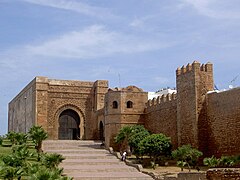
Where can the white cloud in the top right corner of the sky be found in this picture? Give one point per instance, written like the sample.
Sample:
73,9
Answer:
218,9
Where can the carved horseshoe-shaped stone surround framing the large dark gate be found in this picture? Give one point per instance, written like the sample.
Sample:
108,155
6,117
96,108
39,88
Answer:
73,108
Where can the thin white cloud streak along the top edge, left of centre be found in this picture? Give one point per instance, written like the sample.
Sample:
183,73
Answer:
73,5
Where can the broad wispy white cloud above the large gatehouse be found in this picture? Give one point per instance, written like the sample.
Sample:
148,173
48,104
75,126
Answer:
93,42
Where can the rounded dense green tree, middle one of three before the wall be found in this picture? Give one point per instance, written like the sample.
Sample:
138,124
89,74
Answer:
155,146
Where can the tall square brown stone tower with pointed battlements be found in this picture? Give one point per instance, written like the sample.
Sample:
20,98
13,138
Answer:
193,83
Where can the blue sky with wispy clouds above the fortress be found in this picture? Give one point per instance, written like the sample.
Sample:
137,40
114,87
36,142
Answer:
140,41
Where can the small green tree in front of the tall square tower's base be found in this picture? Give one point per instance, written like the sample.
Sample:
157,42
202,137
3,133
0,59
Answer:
187,154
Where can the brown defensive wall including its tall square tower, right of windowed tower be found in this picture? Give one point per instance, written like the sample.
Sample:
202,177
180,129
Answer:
197,115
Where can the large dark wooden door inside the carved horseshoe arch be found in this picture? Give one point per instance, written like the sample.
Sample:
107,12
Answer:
69,122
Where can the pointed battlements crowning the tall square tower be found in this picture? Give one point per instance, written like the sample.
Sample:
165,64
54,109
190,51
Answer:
194,67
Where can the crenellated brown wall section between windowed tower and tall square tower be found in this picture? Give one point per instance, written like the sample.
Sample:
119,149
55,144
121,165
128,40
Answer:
161,116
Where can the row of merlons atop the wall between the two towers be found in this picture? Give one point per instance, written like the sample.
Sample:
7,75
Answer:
161,99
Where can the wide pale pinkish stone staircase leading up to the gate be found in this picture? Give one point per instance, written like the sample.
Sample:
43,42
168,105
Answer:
87,160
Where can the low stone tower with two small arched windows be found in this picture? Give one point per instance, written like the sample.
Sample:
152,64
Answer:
123,106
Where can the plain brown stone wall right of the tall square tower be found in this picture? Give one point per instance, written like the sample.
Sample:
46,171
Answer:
223,111
